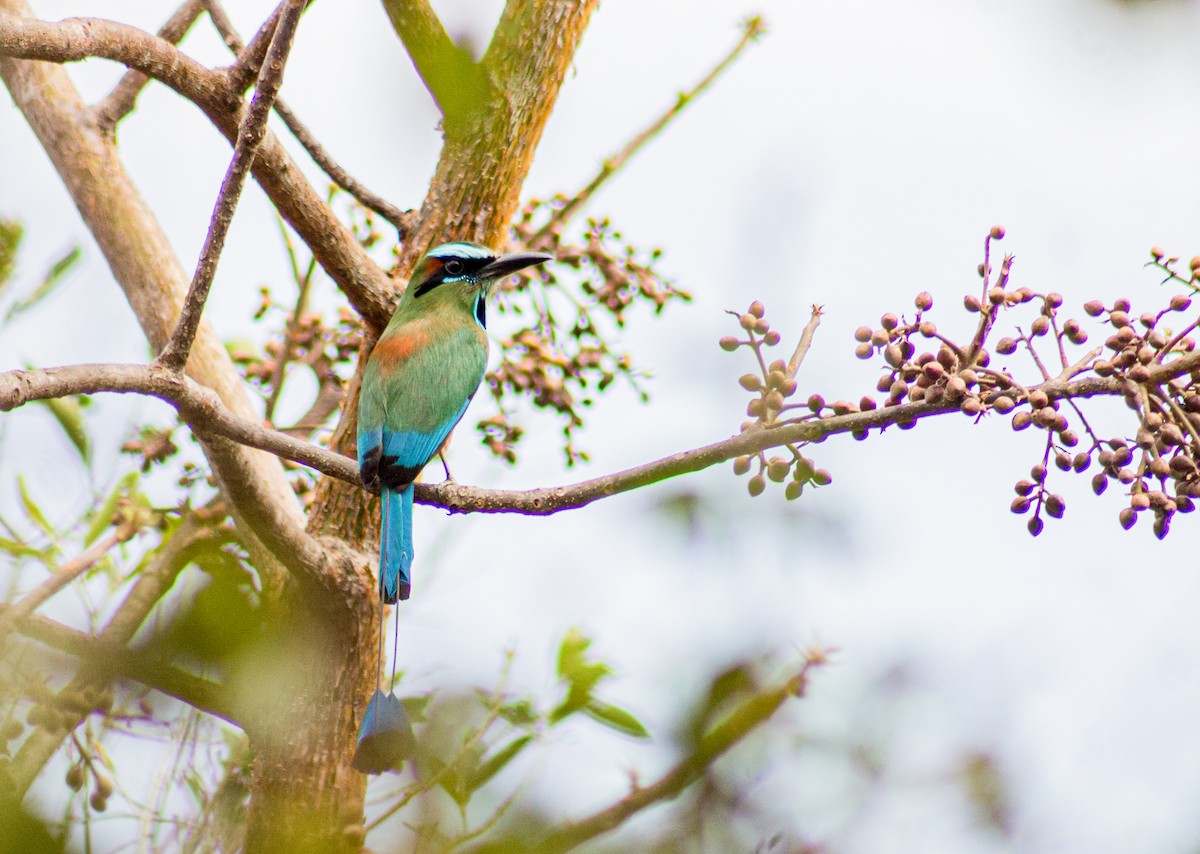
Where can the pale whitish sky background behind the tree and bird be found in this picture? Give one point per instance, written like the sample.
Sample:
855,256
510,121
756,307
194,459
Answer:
855,158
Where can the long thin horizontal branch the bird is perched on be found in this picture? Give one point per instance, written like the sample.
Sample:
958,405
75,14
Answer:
205,413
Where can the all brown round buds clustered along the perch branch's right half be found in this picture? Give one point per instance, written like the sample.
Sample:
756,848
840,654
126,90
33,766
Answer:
1149,359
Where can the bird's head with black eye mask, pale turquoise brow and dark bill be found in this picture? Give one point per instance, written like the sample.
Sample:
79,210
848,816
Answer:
463,275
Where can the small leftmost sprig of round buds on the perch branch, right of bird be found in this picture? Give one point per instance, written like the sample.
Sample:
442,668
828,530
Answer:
772,388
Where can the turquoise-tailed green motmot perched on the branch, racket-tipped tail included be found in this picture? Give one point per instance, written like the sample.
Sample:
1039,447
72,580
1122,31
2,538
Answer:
416,388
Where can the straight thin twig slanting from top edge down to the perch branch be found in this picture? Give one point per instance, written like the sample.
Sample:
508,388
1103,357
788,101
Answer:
250,134
